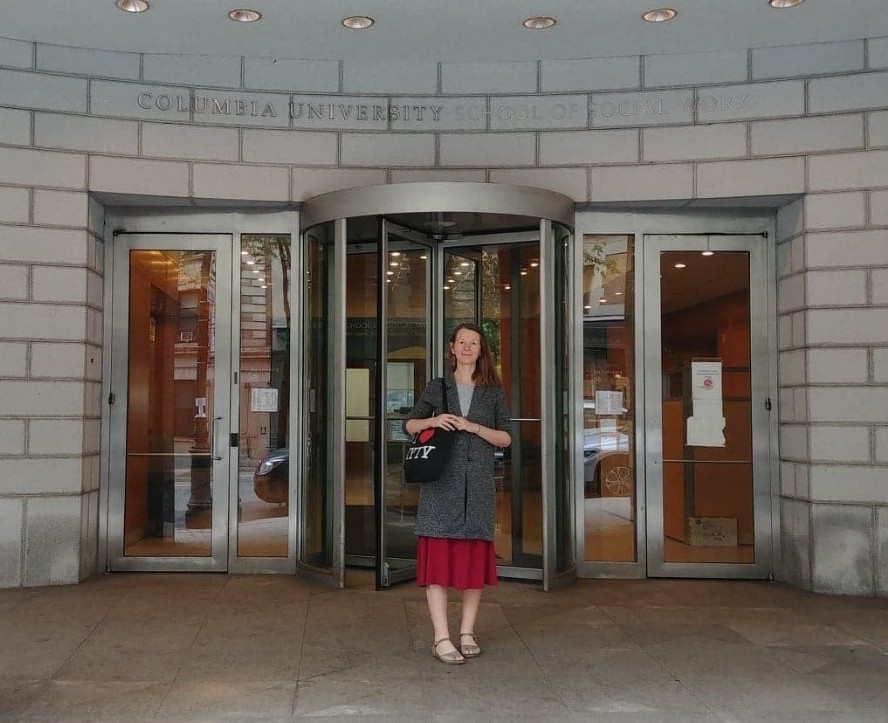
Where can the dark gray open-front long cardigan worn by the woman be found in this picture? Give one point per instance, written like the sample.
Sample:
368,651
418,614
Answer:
461,503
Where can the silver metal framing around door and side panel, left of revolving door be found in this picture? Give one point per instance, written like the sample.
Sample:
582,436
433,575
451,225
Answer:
198,224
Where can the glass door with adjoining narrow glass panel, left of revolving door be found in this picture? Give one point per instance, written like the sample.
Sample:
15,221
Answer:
199,474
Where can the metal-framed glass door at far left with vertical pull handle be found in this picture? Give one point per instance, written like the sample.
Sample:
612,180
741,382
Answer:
170,414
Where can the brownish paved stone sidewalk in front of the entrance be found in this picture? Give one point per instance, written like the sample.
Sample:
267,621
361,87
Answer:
140,647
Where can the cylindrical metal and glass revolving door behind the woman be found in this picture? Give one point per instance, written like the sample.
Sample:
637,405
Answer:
390,272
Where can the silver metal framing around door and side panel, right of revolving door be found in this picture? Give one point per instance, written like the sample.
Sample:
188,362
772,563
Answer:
760,221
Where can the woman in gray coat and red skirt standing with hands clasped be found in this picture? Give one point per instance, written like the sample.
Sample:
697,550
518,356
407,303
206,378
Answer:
454,521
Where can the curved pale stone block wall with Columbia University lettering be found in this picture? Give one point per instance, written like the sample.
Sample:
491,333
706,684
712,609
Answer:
808,123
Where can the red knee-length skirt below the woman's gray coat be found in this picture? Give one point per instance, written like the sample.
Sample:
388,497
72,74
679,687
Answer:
460,564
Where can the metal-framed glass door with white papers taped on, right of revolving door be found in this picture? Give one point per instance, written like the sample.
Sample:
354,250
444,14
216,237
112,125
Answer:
708,495
